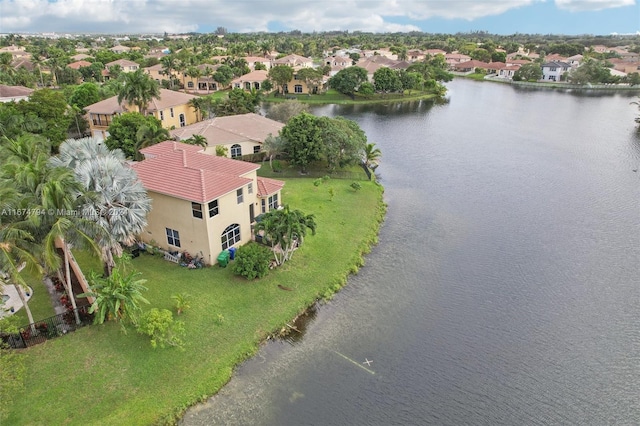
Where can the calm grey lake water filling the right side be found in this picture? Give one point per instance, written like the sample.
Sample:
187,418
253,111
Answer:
505,288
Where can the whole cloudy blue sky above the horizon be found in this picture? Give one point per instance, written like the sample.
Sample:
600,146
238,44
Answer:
570,17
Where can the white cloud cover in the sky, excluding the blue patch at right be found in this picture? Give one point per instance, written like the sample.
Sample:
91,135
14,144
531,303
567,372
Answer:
157,16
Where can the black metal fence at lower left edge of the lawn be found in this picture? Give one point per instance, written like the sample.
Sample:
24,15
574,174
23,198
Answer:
49,328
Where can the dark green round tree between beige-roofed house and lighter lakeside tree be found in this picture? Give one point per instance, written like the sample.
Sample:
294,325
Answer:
303,140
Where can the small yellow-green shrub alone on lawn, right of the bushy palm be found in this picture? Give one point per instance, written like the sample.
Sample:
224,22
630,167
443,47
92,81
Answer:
159,325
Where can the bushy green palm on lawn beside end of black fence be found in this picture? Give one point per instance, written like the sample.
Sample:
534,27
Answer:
117,297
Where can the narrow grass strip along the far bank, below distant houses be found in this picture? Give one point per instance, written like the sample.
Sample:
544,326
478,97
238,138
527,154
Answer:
333,97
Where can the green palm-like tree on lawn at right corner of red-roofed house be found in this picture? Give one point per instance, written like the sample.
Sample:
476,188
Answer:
286,229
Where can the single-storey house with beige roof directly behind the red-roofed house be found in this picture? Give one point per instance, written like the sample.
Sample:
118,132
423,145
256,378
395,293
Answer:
241,134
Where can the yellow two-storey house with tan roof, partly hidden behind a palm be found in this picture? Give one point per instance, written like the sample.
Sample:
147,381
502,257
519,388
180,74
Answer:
172,109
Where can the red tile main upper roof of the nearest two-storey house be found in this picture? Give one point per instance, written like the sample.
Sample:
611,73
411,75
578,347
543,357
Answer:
184,171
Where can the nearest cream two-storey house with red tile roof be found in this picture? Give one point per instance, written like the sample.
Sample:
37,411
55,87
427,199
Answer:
201,203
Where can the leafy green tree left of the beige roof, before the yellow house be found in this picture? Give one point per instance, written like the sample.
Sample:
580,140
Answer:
123,131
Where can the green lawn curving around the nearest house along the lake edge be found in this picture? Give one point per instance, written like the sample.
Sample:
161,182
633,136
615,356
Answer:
100,375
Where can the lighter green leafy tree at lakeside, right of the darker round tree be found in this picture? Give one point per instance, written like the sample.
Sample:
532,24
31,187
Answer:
343,140
